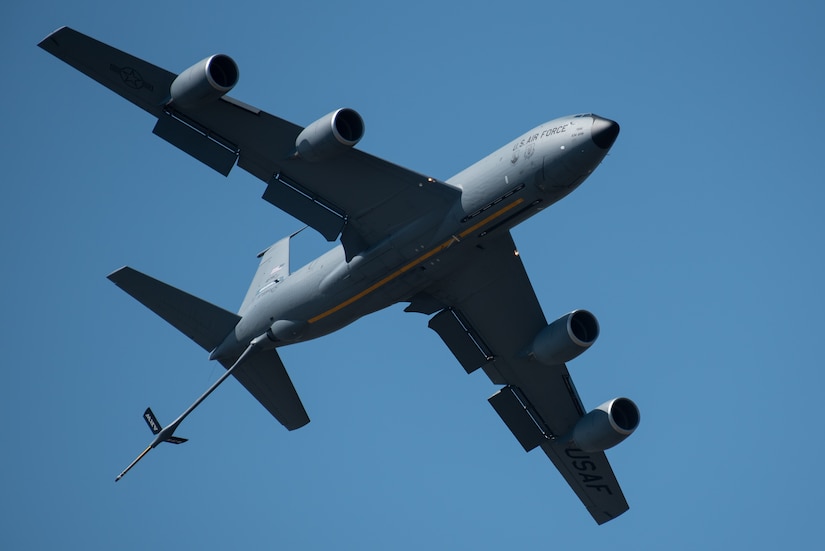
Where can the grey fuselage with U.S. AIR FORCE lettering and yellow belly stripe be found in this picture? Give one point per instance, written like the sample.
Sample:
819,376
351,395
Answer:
515,182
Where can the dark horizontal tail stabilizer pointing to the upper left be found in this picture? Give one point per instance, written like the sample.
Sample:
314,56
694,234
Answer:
201,321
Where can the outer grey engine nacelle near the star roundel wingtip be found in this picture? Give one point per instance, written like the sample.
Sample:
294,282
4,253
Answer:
205,81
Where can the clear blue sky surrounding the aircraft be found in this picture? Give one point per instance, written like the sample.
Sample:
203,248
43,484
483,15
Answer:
698,244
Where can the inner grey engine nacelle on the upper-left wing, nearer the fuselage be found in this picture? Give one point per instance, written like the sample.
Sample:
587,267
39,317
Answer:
330,135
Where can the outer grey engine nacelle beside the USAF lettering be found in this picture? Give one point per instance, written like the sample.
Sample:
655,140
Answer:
607,425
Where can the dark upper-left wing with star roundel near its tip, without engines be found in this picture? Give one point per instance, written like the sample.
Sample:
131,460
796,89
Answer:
340,195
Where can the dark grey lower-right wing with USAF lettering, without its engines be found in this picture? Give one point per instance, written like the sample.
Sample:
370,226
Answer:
492,316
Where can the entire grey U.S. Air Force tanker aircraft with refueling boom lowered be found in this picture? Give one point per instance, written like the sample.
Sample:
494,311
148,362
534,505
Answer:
444,247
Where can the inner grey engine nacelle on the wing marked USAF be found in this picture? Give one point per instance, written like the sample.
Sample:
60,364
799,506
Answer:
565,338
